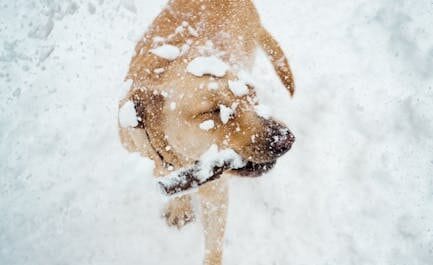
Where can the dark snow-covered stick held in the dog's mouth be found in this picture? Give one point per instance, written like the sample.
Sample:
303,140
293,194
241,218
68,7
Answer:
210,167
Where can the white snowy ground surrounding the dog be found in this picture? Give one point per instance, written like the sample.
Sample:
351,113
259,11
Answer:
356,189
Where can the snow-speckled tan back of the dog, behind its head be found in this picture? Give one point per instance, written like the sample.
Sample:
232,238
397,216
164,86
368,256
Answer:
222,25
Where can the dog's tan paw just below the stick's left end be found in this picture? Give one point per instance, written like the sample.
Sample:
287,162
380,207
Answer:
179,212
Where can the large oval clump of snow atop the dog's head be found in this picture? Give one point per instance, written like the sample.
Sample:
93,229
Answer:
211,65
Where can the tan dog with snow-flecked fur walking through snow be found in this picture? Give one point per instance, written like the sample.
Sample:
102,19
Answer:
190,91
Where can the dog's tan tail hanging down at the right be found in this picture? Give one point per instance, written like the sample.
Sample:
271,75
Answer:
278,59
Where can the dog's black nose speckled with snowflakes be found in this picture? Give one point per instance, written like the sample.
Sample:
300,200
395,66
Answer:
279,138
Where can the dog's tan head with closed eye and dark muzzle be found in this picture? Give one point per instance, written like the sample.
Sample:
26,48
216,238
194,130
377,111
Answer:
185,116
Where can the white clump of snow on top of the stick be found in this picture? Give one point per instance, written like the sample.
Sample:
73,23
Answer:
218,158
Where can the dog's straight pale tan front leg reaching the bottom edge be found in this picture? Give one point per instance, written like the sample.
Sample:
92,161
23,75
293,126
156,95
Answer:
214,200
